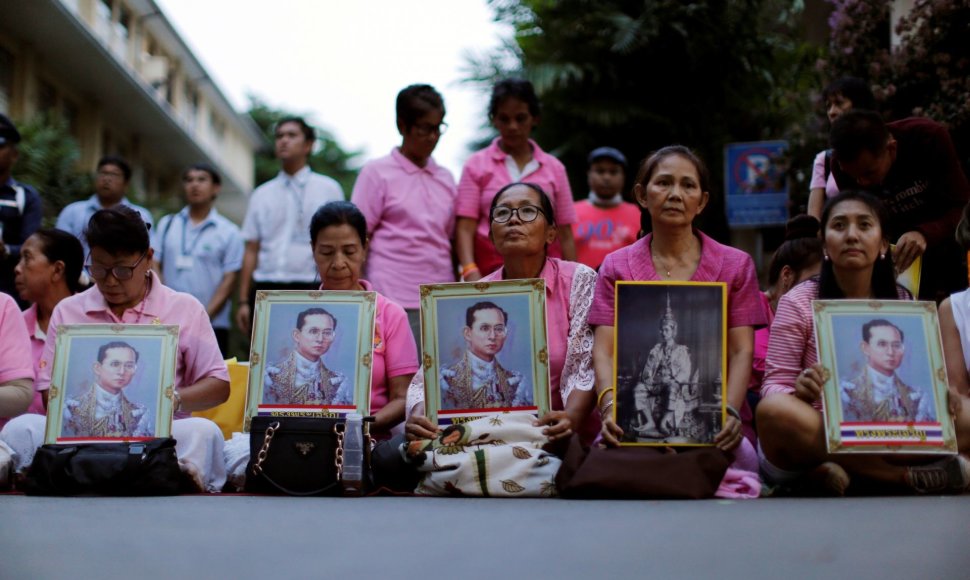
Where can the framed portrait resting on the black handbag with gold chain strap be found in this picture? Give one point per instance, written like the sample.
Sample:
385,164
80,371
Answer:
311,353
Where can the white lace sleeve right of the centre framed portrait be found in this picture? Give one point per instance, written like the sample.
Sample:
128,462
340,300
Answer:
577,372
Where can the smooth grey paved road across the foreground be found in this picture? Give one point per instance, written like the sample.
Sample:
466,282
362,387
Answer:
242,537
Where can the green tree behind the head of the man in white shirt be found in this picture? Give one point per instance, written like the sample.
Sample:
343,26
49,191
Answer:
328,157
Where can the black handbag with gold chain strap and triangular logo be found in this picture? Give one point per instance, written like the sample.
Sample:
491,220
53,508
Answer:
301,456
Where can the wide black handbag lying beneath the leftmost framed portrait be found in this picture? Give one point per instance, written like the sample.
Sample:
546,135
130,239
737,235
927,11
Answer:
134,468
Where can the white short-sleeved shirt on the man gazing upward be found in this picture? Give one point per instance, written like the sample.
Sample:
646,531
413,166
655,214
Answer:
279,219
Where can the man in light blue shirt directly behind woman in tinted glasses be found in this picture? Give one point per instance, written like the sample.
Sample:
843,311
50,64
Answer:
110,184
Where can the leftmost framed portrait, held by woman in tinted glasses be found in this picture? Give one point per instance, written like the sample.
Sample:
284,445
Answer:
112,383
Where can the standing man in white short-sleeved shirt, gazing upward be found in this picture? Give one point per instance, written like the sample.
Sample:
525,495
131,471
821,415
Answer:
277,224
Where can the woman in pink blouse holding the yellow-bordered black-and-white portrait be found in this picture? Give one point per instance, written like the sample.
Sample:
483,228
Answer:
672,187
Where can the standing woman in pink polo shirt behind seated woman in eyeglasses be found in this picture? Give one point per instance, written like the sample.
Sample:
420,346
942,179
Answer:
514,111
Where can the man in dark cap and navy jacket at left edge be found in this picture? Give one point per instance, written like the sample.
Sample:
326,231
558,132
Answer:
20,208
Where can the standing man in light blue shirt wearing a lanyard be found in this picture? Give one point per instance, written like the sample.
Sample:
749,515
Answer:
200,252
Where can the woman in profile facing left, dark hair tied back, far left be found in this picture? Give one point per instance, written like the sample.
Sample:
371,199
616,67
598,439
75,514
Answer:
49,271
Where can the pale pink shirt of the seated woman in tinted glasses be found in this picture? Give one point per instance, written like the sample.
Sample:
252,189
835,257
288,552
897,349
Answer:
198,352
